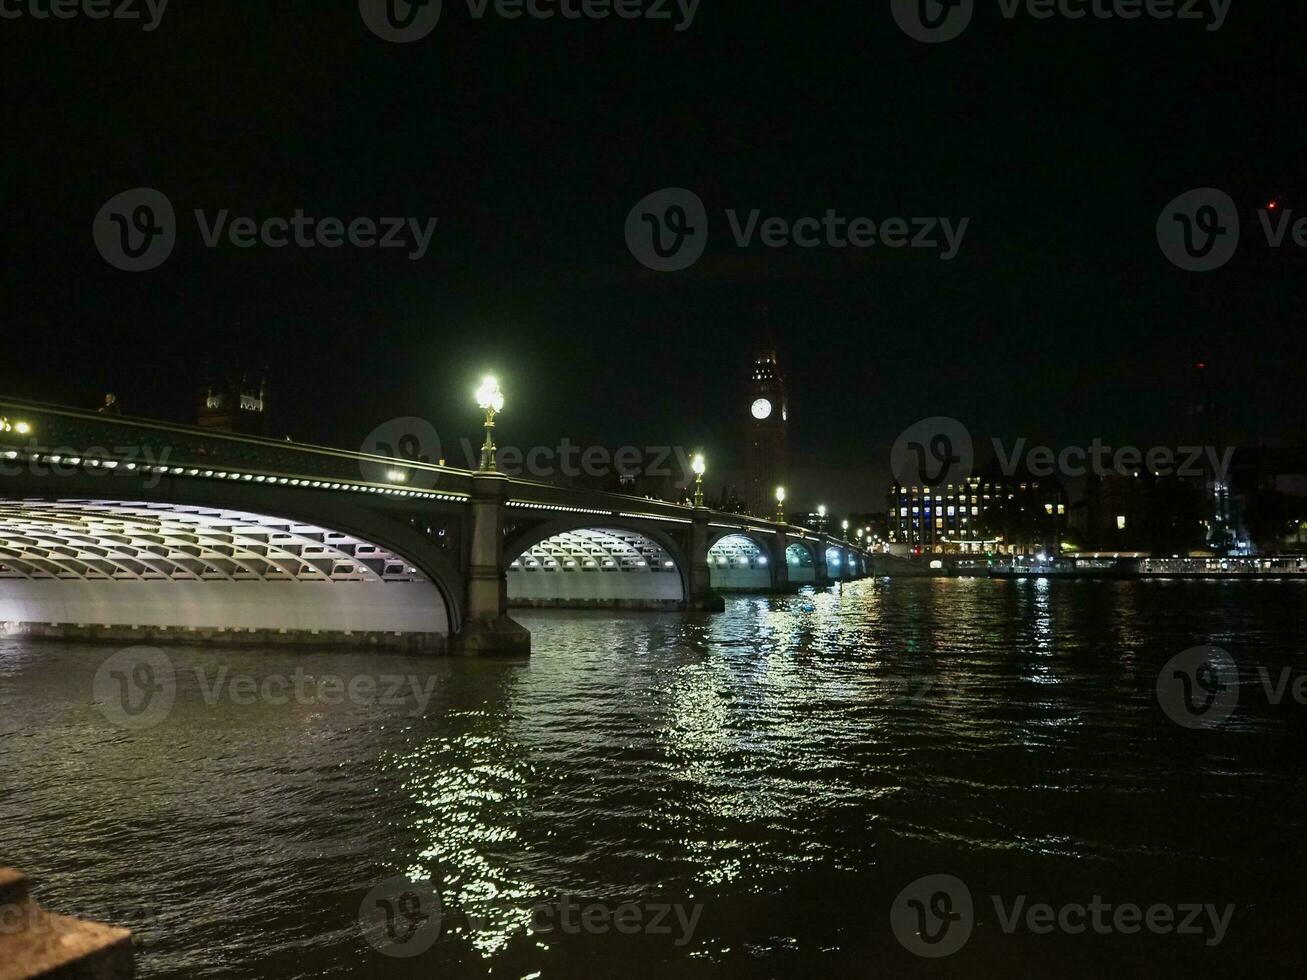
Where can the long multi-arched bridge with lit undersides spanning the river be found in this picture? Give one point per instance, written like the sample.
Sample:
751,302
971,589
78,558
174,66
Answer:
137,531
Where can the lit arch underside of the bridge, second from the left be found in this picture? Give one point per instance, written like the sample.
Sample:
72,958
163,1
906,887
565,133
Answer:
597,566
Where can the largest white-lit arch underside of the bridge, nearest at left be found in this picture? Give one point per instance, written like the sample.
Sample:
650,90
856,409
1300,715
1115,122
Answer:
101,564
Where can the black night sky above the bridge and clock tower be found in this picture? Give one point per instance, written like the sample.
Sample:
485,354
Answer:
531,142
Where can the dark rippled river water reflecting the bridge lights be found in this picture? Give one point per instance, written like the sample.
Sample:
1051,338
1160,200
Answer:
790,765
